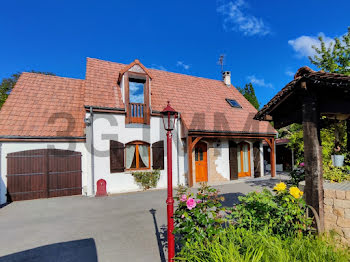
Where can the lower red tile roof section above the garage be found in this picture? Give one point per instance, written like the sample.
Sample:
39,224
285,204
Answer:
44,106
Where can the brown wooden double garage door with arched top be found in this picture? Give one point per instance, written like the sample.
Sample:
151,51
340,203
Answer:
43,173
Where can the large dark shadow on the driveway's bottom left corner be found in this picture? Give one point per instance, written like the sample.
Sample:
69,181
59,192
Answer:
83,250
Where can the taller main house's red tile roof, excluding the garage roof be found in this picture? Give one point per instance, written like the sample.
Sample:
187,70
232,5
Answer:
200,101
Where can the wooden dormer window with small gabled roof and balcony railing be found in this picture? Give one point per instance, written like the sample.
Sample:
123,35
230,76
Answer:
136,93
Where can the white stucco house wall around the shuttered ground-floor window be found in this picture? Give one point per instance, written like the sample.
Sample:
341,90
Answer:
112,127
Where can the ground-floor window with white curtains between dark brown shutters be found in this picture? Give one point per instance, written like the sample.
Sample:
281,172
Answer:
137,155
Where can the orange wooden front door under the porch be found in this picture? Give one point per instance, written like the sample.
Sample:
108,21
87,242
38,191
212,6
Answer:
201,162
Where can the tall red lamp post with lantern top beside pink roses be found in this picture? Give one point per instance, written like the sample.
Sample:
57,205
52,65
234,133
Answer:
169,116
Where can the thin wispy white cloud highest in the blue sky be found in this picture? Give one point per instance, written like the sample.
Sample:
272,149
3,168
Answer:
236,19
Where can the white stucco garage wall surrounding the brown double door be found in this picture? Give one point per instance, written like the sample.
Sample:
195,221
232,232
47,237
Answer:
11,147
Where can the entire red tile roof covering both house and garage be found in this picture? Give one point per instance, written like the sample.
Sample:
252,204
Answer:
200,101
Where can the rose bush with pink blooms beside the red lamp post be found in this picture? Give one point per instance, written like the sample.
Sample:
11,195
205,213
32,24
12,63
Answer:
197,217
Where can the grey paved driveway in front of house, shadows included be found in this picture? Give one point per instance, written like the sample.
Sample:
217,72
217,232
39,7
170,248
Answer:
125,227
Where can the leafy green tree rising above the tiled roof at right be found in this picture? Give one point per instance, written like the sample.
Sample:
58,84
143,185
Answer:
334,58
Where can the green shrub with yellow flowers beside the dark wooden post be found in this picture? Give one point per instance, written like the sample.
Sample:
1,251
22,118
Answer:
281,213
